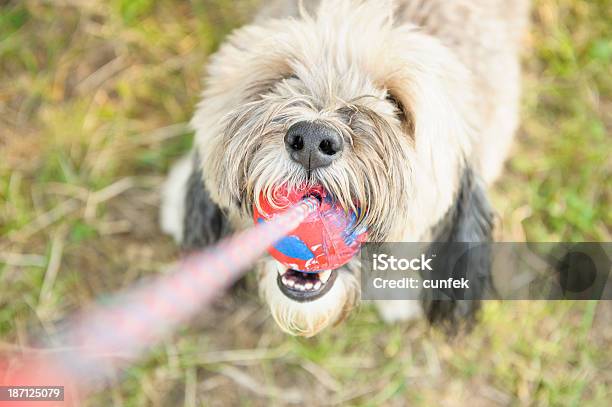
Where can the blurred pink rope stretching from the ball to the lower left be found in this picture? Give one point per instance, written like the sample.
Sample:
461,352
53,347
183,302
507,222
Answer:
98,342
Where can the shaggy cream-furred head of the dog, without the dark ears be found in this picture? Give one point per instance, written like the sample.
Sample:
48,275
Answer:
377,114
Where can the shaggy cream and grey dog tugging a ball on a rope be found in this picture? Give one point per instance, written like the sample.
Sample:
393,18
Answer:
406,109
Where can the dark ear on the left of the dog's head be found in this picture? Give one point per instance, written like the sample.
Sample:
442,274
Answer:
204,222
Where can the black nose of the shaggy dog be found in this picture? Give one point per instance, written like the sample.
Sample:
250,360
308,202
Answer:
312,144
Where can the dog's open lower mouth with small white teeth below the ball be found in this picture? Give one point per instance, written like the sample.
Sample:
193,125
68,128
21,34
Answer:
303,287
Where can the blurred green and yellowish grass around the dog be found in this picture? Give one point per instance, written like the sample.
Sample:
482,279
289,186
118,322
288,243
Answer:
93,102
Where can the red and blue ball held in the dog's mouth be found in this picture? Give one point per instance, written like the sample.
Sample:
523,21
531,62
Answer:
326,240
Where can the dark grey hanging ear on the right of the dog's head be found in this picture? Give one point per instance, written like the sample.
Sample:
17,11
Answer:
470,221
